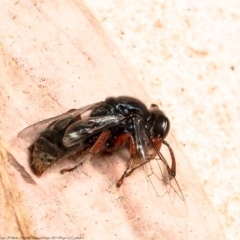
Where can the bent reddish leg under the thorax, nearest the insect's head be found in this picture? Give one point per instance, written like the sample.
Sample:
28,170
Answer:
119,142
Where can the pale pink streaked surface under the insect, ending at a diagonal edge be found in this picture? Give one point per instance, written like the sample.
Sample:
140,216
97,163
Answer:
55,57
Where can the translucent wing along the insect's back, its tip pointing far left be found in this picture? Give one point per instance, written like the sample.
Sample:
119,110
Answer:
34,130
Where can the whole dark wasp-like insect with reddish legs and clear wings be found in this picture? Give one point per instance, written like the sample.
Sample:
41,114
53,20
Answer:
110,125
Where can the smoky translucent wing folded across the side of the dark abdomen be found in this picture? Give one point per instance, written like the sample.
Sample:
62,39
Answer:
82,129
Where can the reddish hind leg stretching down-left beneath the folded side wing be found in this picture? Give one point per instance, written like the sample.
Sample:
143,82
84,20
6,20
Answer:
96,148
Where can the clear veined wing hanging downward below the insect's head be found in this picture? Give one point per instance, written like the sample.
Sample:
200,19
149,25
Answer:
164,189
